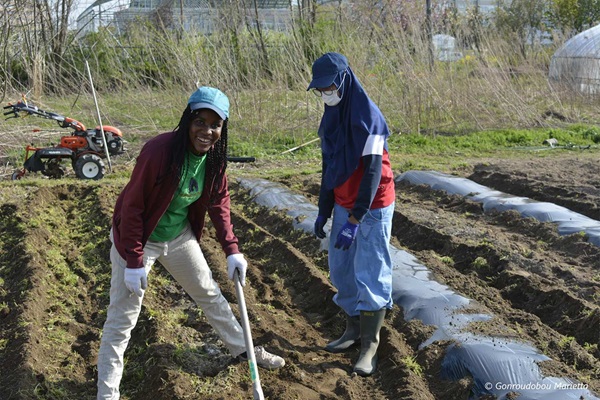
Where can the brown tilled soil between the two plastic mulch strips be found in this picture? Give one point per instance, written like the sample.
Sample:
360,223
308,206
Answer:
474,245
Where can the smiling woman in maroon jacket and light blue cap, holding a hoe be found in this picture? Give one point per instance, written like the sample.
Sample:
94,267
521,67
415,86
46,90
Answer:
179,177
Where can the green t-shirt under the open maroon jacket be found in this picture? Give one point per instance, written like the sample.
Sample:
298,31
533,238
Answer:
190,189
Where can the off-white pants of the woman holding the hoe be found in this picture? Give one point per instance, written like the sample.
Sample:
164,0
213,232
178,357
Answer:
184,260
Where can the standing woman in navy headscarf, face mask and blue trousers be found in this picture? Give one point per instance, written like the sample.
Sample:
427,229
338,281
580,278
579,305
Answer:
357,187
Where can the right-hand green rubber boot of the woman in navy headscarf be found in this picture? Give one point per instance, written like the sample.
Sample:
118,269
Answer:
370,325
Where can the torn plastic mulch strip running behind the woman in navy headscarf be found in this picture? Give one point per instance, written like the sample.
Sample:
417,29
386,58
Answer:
497,365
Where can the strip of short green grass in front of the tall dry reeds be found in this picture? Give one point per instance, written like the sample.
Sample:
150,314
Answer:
289,119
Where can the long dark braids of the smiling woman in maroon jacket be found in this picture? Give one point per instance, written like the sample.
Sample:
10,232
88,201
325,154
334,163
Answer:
216,157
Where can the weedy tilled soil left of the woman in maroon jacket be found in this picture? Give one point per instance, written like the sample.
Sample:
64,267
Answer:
59,251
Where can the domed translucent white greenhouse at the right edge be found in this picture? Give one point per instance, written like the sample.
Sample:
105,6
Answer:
577,63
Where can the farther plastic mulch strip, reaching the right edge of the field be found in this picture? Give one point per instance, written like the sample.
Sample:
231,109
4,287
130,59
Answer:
568,221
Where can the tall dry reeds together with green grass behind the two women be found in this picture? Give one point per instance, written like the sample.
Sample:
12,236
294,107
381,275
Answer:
492,102
